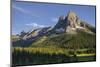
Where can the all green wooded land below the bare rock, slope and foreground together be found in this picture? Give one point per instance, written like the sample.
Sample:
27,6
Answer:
60,48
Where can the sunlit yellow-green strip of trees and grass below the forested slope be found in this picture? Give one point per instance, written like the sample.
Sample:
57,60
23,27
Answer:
55,50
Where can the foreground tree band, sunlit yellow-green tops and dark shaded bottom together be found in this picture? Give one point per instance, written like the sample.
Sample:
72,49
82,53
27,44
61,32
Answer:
46,55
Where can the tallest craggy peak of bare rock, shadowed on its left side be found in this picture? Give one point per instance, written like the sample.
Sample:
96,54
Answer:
71,24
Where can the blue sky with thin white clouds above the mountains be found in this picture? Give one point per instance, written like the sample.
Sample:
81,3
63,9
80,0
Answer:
32,15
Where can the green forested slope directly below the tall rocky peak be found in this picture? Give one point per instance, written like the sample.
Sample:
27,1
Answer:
78,41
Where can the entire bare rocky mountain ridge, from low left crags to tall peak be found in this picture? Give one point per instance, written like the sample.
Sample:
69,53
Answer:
70,24
